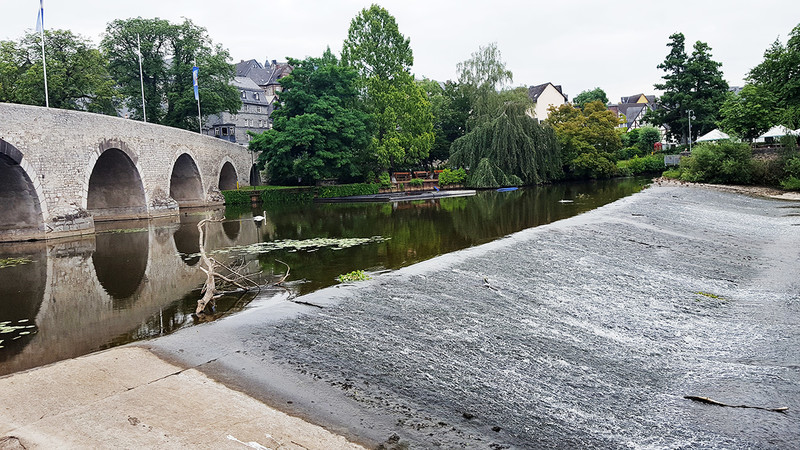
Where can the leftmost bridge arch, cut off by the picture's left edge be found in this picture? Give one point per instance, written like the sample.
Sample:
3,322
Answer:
21,194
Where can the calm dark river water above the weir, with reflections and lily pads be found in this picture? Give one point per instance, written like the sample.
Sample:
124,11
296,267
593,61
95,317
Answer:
138,280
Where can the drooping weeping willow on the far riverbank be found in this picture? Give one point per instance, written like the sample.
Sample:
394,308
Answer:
510,150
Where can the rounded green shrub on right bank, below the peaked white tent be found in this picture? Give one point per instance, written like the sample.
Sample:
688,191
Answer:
724,162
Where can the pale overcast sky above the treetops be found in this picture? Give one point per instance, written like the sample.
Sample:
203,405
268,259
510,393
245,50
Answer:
580,44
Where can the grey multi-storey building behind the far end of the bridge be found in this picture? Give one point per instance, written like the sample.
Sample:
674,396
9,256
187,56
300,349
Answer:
252,116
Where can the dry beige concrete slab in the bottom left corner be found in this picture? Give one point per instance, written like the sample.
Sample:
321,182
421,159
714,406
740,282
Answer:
129,398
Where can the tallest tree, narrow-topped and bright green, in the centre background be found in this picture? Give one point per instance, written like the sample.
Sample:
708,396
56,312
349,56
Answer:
382,56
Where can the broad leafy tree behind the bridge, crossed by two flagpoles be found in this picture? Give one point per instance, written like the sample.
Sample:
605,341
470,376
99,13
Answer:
168,54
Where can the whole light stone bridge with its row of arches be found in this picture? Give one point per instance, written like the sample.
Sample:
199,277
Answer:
61,171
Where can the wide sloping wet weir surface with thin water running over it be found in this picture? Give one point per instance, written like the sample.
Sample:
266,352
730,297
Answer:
586,332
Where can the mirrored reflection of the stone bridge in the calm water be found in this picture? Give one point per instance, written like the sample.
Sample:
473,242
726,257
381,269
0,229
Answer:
87,294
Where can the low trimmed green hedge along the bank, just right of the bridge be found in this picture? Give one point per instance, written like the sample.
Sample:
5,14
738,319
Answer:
306,194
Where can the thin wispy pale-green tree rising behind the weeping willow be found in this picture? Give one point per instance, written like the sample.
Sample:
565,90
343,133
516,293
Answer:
481,76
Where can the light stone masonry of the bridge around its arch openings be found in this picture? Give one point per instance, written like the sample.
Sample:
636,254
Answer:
59,149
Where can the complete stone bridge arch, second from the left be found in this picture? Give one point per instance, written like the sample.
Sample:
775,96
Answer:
114,189
